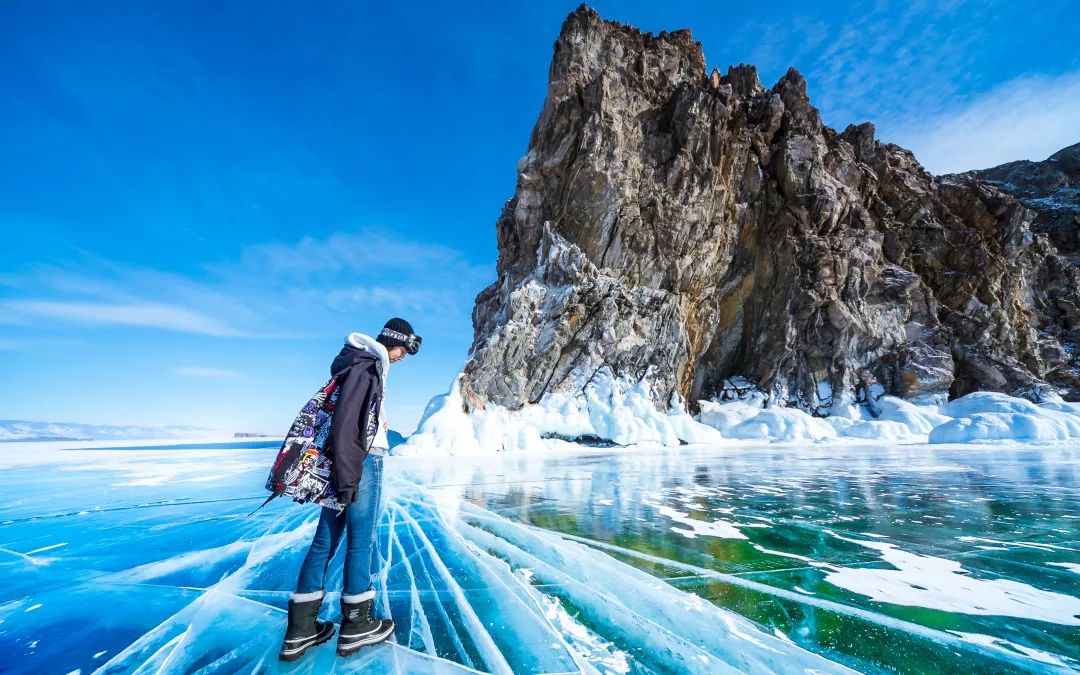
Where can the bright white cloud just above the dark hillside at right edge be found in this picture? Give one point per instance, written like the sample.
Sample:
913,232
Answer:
1022,119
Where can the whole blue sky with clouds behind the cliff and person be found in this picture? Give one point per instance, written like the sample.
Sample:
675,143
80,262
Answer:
200,199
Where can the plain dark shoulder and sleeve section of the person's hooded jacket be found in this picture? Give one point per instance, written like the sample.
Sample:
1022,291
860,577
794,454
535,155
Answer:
356,417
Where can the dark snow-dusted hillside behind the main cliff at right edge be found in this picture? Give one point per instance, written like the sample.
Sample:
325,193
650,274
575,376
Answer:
1050,188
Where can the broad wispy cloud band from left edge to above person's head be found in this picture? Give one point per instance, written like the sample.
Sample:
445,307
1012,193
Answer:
271,290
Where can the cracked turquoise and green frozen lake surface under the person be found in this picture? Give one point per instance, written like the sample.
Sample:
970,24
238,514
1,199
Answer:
768,559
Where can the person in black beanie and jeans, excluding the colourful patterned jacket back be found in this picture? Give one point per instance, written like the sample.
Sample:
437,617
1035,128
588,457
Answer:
357,443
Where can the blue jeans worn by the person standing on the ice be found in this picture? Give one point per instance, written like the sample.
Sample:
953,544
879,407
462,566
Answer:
358,521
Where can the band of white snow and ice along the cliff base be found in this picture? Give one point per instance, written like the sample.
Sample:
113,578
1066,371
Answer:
620,411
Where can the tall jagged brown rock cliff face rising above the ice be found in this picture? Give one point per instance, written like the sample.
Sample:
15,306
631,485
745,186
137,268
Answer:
688,228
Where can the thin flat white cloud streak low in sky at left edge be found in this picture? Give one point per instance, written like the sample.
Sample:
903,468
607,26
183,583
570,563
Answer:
144,315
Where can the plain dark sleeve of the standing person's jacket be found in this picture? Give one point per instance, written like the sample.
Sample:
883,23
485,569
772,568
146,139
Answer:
347,443
